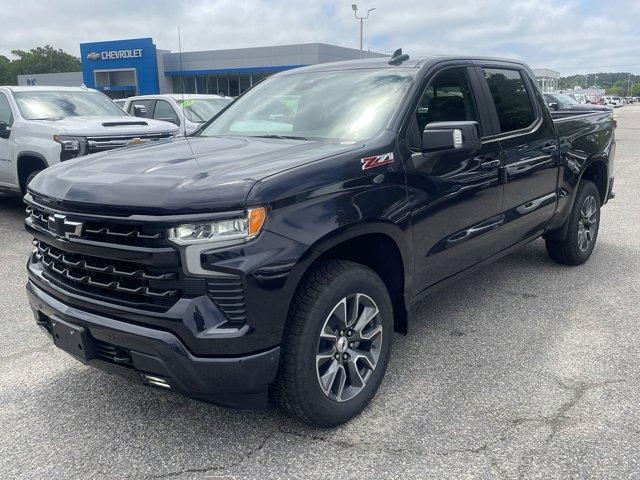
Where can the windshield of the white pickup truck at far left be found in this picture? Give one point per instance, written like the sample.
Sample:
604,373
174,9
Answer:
40,105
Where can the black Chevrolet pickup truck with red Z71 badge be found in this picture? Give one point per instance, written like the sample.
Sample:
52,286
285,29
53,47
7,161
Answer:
271,256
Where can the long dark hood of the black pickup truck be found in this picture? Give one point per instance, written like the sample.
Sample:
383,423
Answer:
176,176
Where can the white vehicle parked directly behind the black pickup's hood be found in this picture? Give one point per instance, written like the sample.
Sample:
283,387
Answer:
189,112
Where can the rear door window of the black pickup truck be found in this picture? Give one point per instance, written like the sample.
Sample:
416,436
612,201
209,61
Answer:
510,96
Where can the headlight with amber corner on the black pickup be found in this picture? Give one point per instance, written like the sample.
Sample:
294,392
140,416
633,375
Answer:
241,229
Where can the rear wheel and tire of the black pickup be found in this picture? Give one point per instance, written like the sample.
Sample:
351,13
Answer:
577,246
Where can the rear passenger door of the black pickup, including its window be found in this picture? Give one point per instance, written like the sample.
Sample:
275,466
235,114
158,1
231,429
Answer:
530,153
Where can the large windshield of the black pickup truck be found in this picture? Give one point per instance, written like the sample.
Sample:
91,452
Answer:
349,105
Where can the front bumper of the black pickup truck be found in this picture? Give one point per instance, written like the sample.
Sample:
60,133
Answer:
235,381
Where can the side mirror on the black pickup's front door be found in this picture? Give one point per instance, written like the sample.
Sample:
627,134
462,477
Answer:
453,136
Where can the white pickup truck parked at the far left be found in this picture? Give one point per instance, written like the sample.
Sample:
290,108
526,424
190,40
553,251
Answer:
41,126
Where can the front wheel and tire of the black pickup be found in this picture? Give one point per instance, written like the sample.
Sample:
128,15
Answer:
298,389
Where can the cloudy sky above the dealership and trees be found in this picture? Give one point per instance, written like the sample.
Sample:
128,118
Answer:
575,36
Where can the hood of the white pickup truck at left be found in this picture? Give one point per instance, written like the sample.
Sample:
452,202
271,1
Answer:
109,125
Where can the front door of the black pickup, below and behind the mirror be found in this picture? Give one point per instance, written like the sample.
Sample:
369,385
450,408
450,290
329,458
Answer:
456,199
